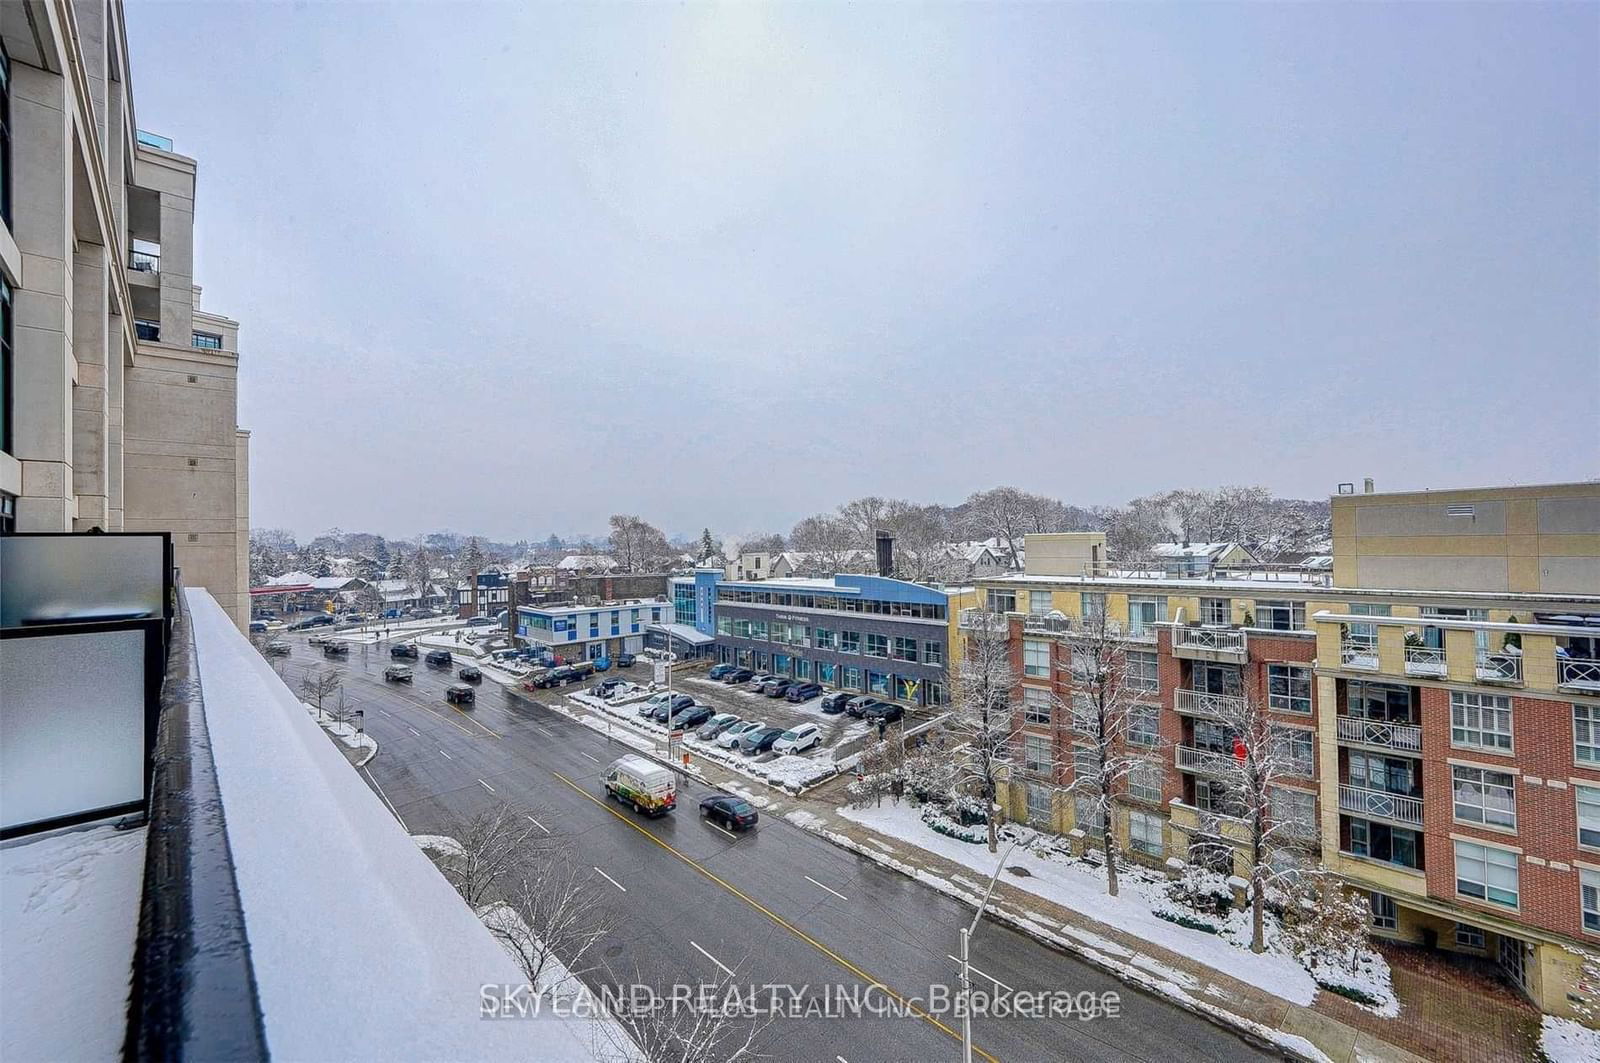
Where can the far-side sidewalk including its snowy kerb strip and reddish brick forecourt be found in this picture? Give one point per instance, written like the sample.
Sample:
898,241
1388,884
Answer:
1441,1017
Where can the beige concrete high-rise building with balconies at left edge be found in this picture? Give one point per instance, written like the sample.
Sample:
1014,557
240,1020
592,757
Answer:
118,391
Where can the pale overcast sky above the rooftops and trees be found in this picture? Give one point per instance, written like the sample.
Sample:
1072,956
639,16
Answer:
510,270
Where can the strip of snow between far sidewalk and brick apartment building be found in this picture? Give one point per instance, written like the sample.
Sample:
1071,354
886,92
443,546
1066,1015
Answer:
1084,891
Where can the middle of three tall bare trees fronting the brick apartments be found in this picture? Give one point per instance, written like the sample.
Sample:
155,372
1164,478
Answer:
1111,728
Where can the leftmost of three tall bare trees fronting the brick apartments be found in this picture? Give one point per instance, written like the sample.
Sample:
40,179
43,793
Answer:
983,718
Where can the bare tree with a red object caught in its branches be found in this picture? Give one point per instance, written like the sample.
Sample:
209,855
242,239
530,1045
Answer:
1265,755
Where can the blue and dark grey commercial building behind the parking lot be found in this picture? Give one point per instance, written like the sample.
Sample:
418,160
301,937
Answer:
871,635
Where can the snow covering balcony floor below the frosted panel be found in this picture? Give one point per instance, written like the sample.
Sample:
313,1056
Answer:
70,915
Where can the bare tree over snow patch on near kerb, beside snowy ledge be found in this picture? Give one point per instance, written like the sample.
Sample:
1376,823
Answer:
550,915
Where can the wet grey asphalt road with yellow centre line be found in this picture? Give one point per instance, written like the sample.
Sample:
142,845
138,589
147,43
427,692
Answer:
775,907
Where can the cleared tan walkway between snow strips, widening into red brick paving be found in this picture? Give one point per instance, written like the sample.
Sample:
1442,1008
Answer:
1444,1014
